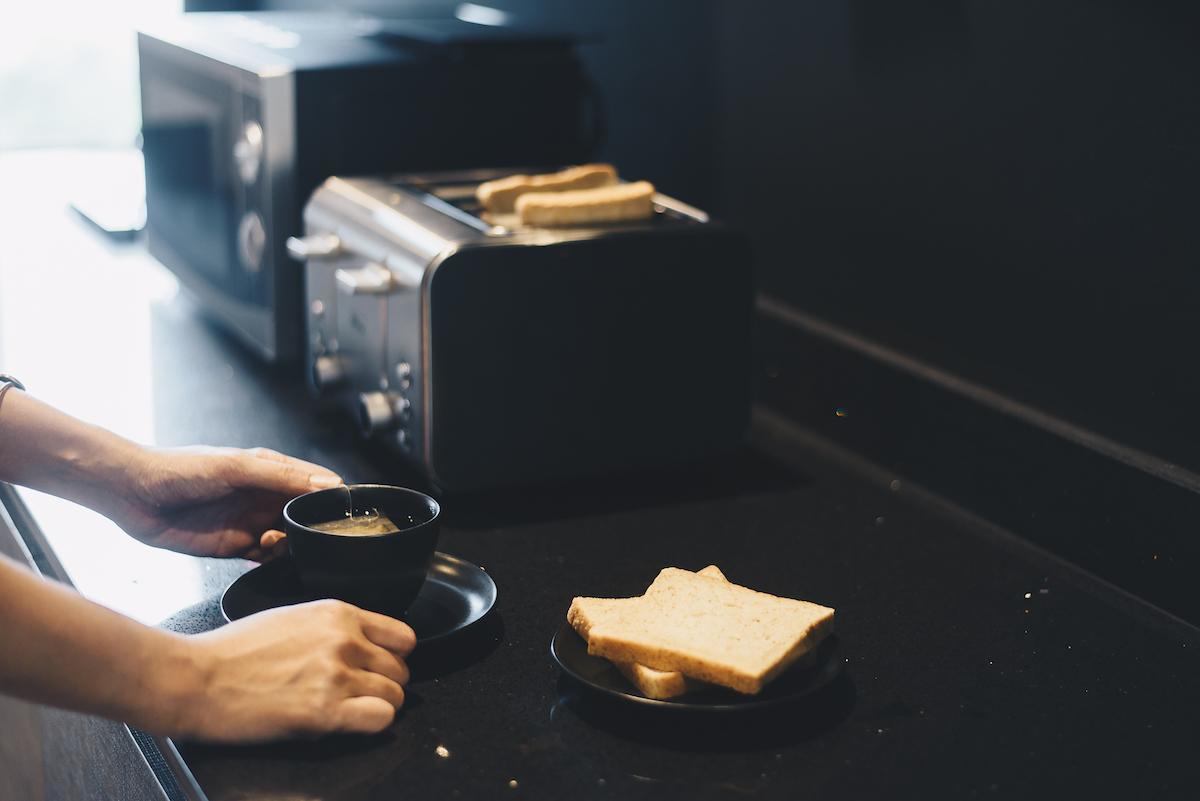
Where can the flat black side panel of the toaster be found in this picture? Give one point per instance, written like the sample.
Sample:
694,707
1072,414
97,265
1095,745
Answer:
591,357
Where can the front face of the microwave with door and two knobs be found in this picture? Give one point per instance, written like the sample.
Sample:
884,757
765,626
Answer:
207,190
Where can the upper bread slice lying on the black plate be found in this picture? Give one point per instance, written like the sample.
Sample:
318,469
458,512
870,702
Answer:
710,630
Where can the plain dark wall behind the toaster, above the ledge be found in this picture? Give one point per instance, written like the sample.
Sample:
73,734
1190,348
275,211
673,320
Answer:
1005,190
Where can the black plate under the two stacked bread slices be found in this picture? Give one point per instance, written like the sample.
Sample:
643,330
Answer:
572,653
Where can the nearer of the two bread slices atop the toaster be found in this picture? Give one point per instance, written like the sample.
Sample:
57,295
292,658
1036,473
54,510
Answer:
607,204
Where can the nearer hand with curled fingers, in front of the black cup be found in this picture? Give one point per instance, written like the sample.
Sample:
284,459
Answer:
299,671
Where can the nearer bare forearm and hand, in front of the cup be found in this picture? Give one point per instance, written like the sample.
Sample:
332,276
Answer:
297,671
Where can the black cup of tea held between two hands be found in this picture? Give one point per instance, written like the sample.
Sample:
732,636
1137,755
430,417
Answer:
382,573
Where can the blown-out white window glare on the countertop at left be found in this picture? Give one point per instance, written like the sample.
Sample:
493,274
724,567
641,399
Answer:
76,327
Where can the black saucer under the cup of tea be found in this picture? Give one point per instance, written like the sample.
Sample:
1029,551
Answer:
457,595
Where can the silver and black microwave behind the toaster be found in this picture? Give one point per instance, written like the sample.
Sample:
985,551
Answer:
244,115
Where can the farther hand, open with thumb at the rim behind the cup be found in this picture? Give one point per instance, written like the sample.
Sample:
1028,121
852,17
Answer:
214,502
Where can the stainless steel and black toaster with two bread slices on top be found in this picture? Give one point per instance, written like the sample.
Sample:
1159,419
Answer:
495,356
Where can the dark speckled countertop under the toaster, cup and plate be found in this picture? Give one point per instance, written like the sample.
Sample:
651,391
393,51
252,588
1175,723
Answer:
977,665
